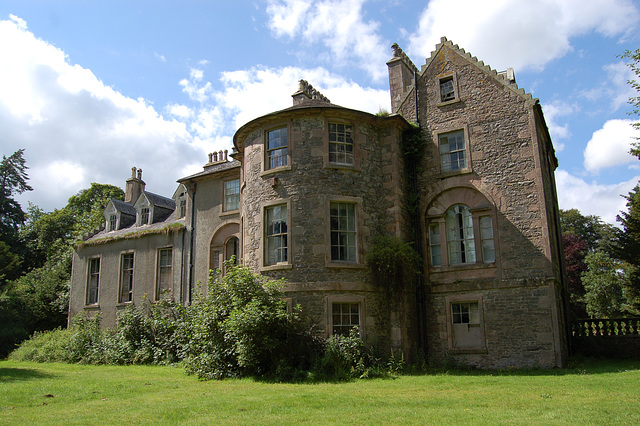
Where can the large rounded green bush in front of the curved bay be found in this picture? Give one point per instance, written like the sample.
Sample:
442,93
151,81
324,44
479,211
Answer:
242,328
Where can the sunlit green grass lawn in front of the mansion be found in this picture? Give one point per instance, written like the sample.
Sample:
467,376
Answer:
597,392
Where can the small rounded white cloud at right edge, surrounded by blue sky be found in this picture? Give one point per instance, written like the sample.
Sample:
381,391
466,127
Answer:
609,146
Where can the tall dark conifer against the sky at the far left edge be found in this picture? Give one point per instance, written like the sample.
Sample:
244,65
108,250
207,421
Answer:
13,181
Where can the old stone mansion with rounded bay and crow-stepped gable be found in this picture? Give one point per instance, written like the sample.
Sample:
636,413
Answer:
307,190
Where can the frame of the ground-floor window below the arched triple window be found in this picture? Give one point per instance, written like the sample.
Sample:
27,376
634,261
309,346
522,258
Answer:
452,328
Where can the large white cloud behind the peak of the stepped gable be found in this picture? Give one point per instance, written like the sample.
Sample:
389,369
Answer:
519,34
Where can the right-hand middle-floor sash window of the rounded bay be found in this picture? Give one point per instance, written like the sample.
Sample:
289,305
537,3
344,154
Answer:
343,232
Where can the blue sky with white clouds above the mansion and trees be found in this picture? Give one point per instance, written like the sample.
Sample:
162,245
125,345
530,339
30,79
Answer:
90,89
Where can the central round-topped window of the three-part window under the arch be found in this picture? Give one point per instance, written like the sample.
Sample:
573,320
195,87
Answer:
460,241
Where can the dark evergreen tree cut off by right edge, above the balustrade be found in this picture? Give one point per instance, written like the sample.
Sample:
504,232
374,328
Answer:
627,248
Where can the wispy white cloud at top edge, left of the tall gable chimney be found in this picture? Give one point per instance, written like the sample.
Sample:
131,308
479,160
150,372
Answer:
338,24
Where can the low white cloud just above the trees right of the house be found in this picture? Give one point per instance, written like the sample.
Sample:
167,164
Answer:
592,198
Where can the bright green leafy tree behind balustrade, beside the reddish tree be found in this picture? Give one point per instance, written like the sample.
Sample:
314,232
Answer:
603,282
